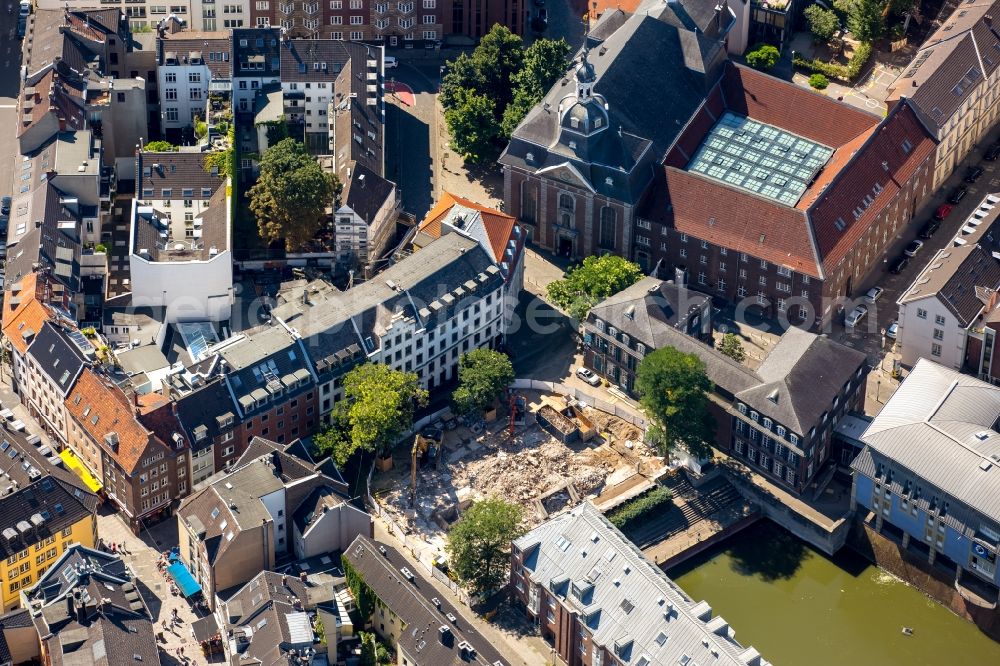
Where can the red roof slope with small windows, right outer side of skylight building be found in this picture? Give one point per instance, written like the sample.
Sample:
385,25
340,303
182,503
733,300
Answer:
876,170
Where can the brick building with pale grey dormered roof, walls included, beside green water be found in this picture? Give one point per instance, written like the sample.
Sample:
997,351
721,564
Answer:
597,600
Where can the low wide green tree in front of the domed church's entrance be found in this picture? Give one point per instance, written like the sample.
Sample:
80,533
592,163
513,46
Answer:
592,281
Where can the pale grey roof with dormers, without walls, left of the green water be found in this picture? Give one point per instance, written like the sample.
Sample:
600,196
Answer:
631,598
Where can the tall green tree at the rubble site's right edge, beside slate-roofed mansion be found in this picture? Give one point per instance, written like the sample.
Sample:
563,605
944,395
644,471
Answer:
673,390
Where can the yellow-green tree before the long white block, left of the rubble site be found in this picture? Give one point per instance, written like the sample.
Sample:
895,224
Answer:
376,410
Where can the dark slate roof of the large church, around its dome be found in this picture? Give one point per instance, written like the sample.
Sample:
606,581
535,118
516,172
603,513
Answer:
654,70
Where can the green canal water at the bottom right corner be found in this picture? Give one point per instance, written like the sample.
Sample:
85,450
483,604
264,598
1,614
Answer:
800,608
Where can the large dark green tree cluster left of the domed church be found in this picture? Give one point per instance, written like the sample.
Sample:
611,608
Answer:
486,94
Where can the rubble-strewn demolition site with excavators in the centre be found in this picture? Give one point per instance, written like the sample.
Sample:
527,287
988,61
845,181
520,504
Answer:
551,456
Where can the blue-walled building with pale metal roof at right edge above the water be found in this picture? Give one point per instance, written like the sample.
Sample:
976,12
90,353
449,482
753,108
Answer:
927,477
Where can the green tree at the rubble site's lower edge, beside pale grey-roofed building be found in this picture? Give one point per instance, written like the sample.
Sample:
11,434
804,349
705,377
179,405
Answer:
479,543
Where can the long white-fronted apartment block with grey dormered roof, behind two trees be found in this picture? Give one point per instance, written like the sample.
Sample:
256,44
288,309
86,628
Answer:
419,315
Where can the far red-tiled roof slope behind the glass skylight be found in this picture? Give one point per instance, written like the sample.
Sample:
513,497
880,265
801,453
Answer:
792,108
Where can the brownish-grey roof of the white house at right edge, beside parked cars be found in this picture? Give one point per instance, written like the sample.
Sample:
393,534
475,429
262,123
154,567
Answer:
964,278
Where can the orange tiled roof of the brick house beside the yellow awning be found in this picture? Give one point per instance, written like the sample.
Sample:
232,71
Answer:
100,408
